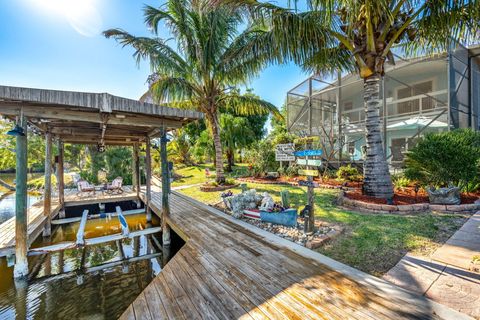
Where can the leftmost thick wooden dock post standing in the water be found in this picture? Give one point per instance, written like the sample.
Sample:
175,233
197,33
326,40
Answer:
21,235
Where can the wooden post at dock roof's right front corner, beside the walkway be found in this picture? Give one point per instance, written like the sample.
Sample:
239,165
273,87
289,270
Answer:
165,188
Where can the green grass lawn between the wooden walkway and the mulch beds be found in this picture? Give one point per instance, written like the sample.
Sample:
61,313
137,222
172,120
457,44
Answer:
371,242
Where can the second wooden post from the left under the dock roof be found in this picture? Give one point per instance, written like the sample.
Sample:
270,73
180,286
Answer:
47,196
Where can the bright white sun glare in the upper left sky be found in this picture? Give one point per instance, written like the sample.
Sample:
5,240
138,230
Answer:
82,15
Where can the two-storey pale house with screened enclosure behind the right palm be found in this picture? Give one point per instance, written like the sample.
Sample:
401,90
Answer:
418,95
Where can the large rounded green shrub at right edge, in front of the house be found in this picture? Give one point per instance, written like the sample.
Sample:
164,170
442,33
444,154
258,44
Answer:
445,158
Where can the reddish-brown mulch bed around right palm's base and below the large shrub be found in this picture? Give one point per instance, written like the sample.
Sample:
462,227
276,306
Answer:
405,197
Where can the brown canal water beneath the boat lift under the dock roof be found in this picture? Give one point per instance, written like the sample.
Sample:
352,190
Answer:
93,282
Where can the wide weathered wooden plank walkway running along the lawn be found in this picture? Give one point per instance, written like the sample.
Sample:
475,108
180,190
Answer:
227,270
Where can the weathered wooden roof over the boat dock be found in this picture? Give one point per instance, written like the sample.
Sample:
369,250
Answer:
88,118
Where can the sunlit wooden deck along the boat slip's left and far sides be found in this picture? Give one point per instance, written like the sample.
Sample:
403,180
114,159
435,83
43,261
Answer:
36,219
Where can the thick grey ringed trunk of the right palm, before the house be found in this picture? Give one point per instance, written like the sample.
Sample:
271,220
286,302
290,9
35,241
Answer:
377,180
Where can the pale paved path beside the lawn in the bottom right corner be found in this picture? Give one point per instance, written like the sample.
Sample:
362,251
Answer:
445,277
